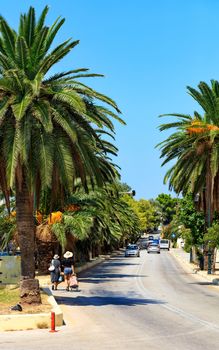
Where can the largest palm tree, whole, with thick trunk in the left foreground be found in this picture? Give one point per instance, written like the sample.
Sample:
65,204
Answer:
47,128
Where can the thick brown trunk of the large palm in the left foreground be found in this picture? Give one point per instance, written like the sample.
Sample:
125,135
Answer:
29,286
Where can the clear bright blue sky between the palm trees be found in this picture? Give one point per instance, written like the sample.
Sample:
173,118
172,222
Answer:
149,51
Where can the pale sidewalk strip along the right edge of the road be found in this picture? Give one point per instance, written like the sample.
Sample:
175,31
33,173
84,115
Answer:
183,258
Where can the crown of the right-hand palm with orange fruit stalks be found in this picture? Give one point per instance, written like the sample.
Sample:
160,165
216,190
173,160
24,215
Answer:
195,147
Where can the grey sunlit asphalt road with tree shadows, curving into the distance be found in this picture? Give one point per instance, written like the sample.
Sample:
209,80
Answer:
132,303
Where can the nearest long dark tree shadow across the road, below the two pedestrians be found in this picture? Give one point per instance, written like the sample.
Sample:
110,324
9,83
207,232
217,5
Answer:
104,301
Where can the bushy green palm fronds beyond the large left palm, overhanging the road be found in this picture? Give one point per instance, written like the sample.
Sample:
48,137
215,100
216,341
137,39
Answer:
103,218
